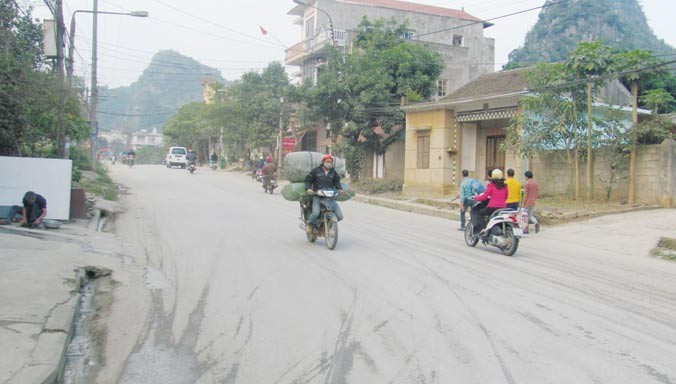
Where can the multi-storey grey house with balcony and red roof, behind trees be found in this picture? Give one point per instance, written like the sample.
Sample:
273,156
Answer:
455,34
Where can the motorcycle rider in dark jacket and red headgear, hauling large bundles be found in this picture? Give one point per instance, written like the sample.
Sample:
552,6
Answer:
322,177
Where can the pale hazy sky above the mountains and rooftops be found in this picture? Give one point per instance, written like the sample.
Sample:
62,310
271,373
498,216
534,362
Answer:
225,34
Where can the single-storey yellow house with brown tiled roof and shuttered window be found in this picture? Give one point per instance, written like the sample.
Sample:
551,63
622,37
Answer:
464,130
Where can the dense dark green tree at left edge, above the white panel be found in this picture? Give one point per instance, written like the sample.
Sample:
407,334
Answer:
30,94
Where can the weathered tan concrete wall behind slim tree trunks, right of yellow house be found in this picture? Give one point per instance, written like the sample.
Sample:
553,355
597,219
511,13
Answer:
655,175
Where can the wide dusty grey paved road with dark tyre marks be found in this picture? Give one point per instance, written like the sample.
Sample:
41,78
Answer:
233,293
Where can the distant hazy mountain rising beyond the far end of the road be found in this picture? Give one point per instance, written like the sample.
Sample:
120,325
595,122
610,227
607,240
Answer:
170,81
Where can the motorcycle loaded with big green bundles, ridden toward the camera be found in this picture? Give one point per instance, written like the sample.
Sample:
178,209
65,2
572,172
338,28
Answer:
327,222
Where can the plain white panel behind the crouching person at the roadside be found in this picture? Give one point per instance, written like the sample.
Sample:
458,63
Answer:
49,177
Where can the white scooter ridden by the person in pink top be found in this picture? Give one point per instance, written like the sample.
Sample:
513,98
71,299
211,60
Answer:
502,231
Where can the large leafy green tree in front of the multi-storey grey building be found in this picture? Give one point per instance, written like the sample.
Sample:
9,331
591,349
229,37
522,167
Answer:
363,89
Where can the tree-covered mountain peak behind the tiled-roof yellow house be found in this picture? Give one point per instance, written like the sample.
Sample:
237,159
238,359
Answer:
560,27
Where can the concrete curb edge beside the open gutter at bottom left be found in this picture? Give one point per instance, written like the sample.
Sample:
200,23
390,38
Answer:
49,355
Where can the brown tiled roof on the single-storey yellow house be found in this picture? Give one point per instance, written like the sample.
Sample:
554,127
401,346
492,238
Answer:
491,84
